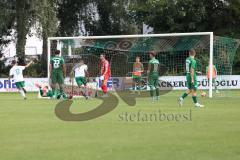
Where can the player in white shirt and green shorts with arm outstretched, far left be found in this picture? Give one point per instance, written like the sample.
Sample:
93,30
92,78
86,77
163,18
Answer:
16,72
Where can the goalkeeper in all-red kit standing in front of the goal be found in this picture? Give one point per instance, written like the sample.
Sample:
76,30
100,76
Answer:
105,74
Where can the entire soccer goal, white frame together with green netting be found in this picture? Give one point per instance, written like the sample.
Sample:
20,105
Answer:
172,51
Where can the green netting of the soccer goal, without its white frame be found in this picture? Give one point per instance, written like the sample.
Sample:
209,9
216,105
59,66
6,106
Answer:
171,53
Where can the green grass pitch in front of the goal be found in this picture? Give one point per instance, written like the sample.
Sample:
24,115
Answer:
29,130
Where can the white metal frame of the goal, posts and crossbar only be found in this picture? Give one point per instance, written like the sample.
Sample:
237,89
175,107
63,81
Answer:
210,34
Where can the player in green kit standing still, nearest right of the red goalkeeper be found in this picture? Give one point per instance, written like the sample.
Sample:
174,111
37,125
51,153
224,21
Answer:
153,76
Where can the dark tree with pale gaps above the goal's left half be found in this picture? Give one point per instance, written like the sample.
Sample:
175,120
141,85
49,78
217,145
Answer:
92,17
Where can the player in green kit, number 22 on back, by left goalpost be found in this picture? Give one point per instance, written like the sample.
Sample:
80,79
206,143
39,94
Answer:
57,70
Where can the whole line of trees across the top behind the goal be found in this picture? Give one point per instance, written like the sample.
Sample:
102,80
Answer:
115,17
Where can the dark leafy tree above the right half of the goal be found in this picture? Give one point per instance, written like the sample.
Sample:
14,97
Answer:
219,16
